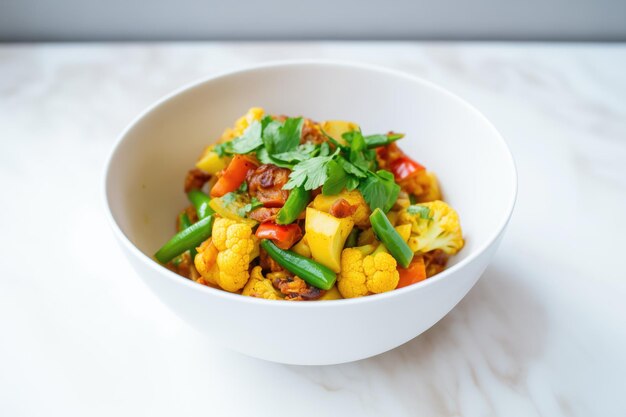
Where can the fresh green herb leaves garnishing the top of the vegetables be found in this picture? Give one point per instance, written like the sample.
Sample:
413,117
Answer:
350,164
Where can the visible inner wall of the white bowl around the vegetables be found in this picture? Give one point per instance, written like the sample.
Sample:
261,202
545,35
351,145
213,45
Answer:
146,171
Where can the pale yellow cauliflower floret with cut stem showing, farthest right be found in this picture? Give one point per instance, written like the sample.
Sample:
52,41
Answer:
434,225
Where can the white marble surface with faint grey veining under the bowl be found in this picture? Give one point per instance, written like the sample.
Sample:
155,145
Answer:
543,333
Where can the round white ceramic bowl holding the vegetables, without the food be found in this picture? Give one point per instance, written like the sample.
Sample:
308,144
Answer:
143,188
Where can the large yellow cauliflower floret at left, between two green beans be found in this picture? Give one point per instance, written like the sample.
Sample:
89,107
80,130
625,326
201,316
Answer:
225,258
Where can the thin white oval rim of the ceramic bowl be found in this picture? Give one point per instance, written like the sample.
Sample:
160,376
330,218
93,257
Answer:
329,63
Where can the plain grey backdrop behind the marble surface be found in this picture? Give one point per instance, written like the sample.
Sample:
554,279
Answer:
35,20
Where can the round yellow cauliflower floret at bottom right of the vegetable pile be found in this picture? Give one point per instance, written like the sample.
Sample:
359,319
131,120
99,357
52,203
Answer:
363,273
